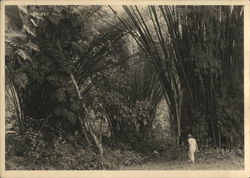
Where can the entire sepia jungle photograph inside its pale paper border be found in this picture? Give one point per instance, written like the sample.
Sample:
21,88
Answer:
124,87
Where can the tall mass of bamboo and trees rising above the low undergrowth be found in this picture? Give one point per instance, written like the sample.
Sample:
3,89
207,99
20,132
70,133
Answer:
68,67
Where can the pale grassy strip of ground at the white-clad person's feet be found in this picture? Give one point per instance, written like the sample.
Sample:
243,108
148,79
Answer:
160,163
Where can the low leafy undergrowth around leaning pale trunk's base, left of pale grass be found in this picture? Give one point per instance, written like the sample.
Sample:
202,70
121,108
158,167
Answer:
32,152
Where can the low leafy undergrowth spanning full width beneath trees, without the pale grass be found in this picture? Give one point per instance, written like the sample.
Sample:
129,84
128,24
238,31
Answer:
32,152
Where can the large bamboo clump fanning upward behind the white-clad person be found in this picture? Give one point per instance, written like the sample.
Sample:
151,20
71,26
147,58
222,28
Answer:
195,58
